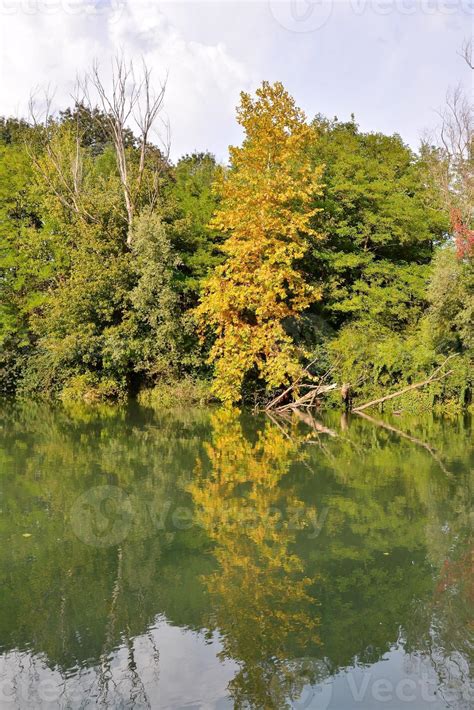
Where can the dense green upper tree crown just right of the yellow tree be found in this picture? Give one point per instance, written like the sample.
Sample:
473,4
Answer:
379,227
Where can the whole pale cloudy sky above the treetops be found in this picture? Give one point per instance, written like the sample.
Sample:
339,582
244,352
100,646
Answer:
390,62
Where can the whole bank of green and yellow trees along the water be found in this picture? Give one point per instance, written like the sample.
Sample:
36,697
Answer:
123,274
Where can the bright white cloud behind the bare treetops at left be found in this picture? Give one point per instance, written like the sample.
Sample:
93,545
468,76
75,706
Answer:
50,48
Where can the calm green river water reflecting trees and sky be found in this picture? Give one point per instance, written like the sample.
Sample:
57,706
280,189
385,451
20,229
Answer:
201,560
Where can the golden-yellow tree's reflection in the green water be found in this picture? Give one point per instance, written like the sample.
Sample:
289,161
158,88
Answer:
262,607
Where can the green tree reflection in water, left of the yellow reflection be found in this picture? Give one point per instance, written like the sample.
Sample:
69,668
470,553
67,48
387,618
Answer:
76,604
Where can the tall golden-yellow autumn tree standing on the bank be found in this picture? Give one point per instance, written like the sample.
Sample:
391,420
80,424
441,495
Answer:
266,210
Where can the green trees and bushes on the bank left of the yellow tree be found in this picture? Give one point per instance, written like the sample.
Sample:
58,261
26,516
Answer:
80,305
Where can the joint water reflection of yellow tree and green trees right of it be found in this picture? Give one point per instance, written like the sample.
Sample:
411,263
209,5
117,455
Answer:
364,585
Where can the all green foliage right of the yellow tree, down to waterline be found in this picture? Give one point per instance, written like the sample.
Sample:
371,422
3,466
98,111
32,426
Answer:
386,293
